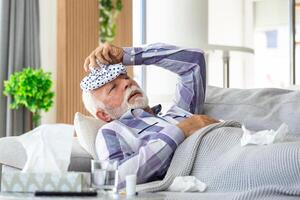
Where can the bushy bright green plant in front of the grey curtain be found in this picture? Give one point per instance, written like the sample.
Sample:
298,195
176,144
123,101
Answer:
30,88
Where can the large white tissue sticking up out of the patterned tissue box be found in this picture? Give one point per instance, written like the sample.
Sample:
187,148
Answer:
48,148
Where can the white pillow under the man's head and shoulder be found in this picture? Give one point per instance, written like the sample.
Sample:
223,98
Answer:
86,129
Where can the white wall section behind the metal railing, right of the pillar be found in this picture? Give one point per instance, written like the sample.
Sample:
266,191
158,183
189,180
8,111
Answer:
231,23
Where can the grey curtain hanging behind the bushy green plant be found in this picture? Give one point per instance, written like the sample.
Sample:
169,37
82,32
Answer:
19,48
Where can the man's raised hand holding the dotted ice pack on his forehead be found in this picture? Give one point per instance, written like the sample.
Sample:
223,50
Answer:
104,54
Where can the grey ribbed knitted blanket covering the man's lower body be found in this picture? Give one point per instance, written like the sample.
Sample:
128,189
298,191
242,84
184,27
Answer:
214,155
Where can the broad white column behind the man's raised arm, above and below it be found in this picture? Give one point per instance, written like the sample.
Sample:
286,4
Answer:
183,23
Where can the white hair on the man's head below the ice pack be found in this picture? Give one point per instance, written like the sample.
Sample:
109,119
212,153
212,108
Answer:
90,104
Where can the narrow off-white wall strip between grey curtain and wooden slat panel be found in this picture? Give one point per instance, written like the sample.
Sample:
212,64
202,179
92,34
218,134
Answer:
48,48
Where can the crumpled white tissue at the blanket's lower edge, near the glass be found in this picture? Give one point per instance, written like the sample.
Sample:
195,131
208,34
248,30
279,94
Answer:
187,184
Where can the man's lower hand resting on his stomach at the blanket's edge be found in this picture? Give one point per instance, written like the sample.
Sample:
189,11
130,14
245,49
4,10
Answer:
192,124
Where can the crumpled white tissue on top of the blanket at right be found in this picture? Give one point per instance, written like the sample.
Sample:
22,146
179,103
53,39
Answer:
264,137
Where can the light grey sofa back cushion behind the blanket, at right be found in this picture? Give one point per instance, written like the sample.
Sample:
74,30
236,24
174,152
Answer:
258,109
